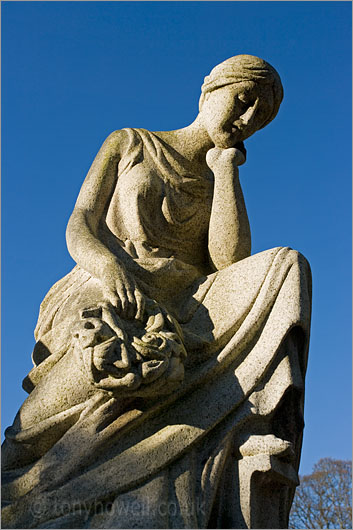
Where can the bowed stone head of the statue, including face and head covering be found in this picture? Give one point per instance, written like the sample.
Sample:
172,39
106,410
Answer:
241,95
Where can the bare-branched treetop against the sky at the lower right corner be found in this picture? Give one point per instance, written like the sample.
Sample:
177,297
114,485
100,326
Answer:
324,498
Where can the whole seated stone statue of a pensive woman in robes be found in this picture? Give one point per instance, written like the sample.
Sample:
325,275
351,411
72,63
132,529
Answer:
168,381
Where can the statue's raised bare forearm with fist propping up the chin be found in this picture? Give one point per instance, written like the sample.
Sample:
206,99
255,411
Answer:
229,238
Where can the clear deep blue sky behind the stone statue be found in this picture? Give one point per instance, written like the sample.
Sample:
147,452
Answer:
72,72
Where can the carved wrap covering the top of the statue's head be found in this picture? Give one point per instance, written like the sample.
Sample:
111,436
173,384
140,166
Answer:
242,68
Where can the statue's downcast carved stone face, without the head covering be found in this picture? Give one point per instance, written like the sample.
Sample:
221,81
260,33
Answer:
232,113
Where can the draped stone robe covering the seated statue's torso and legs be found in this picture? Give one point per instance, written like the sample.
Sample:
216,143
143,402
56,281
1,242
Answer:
172,460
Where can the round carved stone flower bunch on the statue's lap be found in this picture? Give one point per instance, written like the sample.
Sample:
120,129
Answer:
139,360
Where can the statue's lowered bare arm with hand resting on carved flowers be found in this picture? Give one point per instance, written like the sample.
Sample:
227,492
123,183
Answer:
82,234
